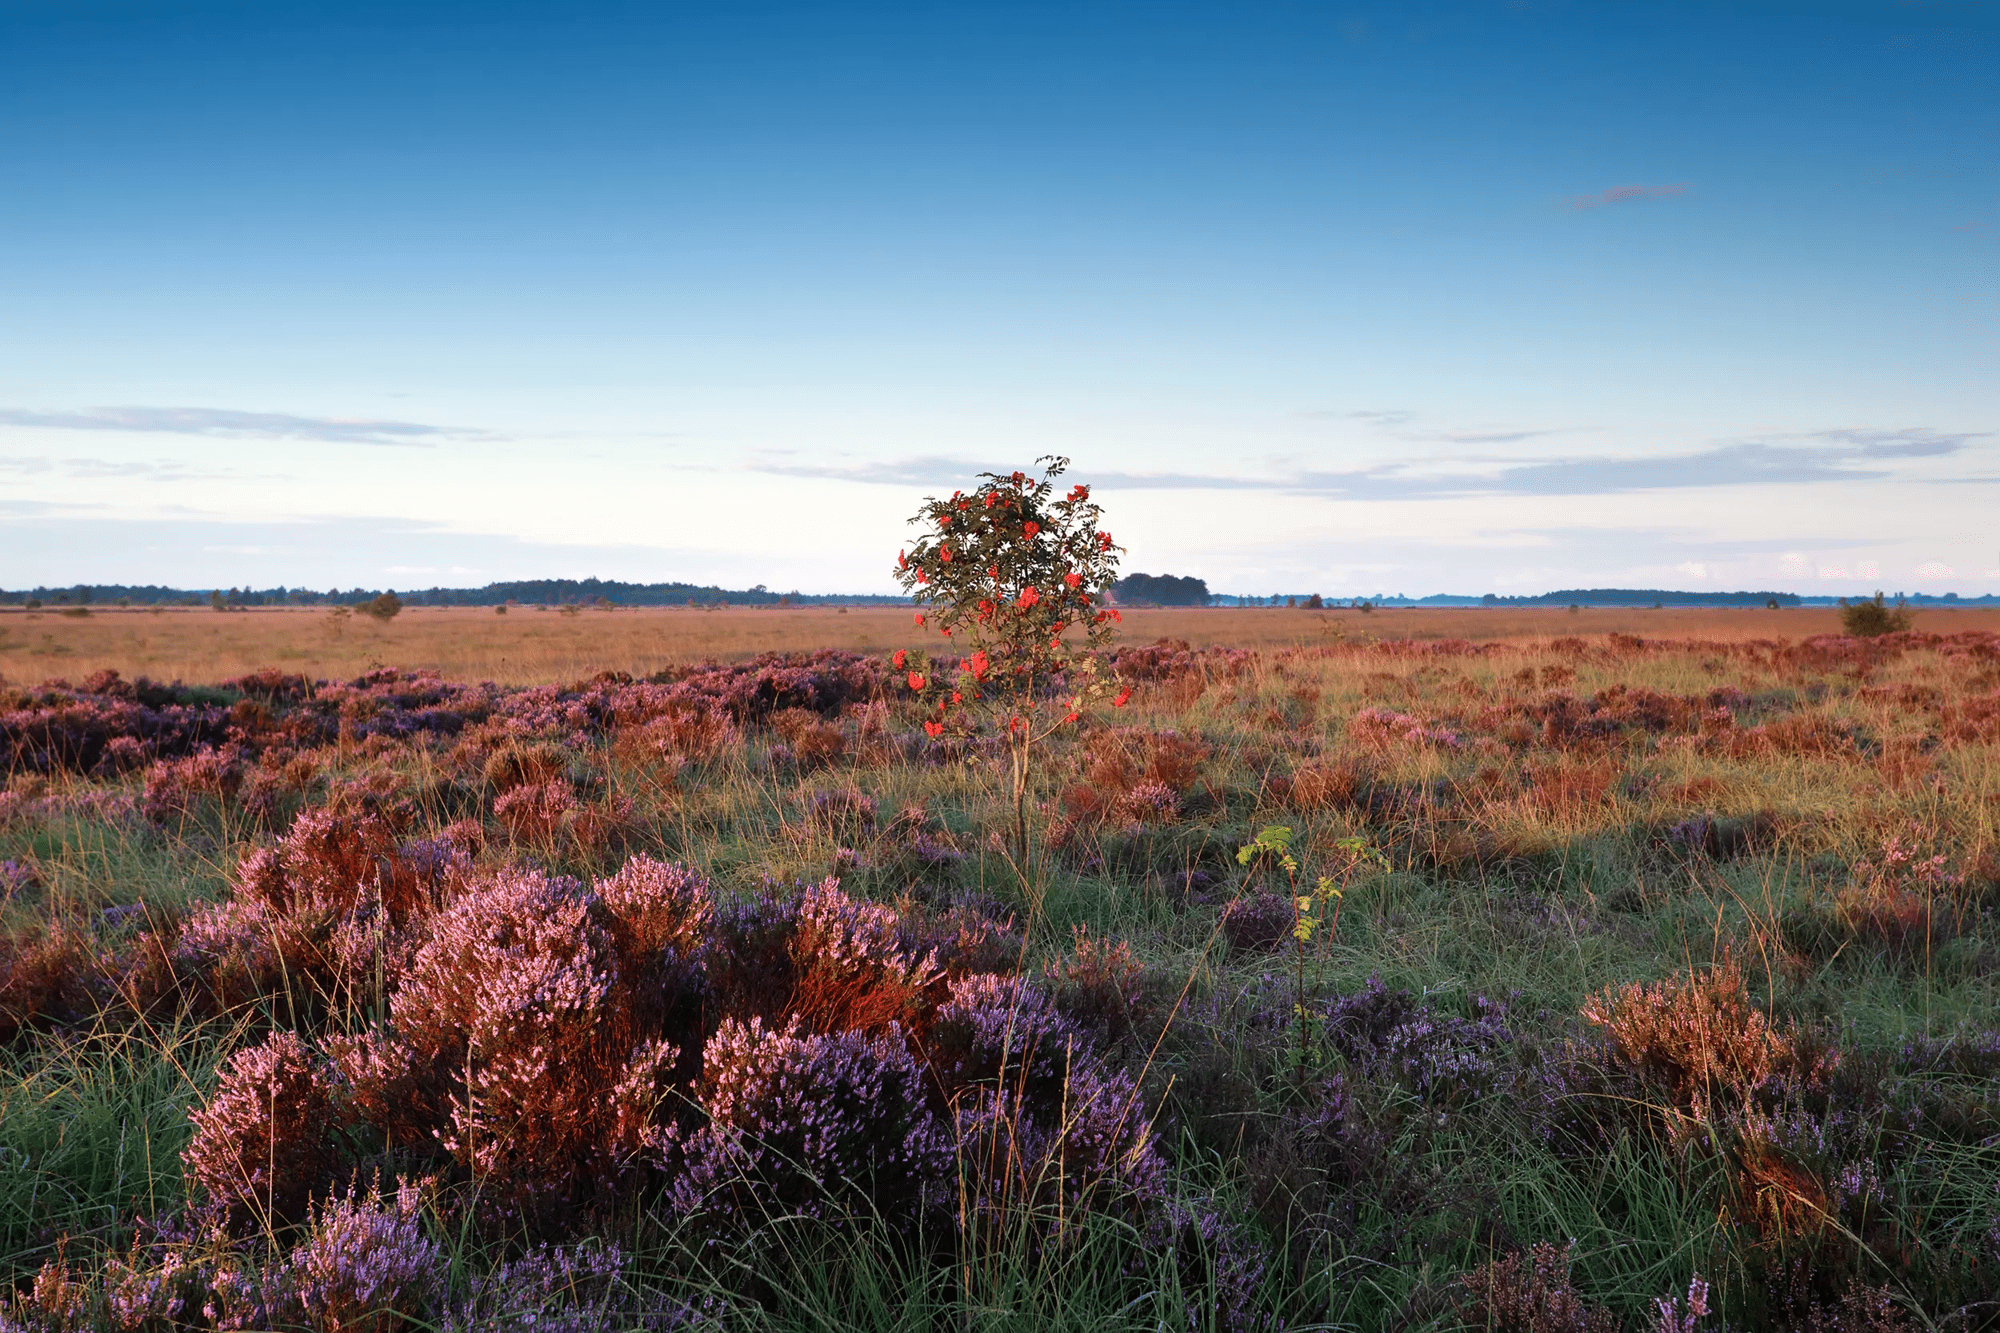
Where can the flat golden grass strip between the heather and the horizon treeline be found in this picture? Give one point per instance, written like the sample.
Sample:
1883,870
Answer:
537,647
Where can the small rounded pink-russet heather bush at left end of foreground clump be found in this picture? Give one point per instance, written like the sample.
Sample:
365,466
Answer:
263,1146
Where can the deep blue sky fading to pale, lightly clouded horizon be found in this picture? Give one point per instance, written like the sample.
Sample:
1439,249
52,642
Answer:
1347,299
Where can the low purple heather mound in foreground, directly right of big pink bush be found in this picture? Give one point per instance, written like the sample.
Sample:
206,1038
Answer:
813,1124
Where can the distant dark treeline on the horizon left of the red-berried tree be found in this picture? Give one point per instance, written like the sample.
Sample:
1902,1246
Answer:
531,591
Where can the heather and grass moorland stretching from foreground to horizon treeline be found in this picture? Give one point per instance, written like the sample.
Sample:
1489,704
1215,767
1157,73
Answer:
655,970
